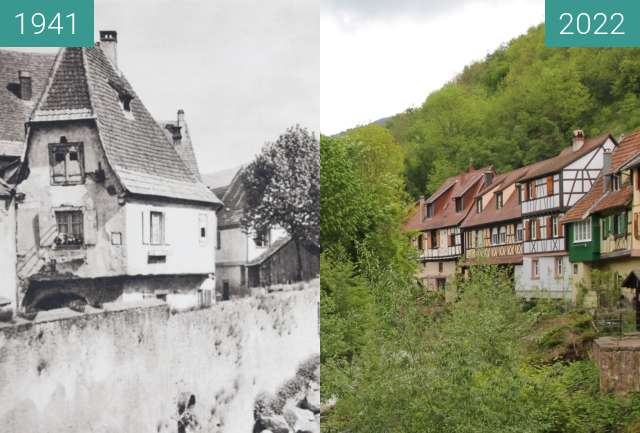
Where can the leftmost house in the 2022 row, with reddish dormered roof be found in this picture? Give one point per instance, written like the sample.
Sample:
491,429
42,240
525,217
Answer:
437,221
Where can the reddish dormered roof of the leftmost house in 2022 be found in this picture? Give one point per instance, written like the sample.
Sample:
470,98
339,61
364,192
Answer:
445,215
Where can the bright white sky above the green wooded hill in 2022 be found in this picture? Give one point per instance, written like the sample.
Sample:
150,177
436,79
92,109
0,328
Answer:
380,57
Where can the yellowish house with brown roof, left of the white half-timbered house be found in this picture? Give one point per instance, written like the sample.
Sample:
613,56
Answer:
493,231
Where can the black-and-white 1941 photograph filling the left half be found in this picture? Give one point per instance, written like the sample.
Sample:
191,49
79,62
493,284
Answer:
159,223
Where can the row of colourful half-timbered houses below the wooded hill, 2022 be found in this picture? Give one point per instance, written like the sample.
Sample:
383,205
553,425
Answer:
551,222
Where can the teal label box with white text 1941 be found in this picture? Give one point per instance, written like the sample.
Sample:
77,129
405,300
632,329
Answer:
46,23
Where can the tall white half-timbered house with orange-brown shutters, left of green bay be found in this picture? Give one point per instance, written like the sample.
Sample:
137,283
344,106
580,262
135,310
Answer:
549,190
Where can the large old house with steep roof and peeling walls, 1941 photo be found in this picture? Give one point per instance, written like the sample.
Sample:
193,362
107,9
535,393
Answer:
112,205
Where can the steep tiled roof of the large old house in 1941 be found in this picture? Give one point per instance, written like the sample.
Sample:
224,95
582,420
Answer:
85,84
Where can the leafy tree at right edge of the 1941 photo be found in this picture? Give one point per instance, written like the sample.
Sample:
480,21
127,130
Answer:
283,188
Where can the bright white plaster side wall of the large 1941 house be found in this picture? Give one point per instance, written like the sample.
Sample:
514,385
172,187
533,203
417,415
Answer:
185,251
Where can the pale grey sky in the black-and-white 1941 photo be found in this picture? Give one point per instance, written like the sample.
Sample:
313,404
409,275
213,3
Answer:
243,70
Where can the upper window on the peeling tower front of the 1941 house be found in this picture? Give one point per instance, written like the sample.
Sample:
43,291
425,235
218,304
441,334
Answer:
67,163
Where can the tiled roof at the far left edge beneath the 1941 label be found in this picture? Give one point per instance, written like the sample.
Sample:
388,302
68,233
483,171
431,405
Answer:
14,112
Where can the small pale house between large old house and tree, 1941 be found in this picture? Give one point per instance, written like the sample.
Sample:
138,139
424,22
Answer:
236,249
